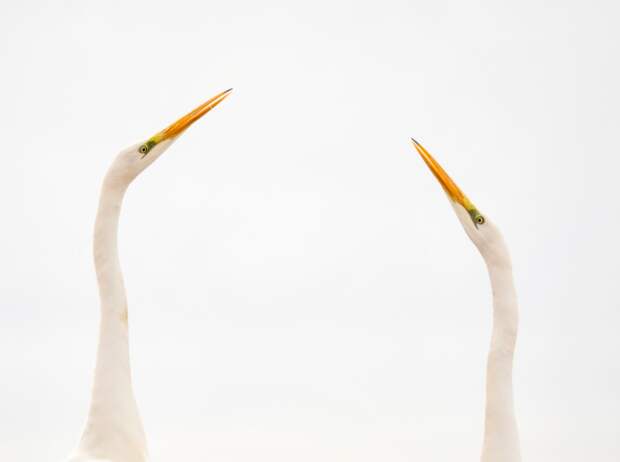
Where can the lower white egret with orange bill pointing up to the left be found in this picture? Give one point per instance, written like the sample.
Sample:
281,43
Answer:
501,436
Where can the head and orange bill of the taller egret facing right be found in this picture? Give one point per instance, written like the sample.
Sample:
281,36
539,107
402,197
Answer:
133,160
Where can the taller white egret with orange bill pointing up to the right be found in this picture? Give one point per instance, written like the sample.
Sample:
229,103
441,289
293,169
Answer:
113,431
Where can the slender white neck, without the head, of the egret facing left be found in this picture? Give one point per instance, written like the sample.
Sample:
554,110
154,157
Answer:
501,436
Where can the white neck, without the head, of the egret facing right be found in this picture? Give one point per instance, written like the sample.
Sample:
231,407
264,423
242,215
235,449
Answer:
114,428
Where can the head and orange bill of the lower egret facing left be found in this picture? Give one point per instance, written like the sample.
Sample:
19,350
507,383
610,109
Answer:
480,229
